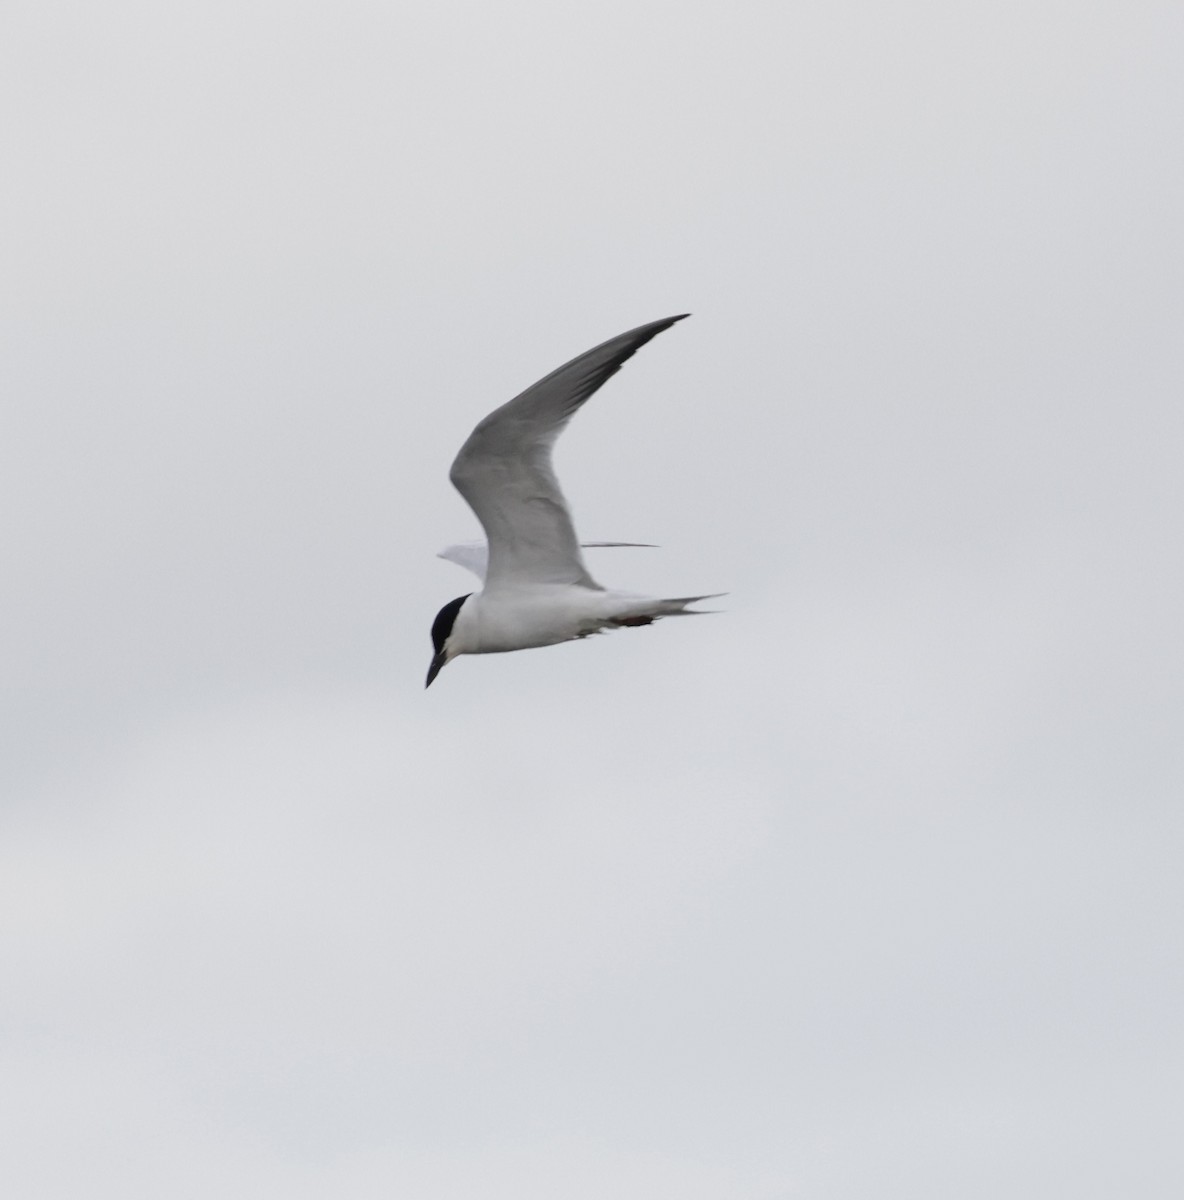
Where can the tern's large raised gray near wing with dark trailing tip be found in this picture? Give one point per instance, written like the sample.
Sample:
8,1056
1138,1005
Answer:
504,469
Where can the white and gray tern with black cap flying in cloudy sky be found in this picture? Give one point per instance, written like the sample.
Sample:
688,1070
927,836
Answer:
537,589
